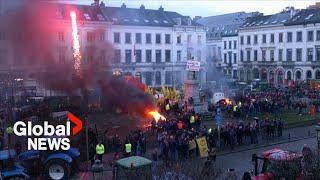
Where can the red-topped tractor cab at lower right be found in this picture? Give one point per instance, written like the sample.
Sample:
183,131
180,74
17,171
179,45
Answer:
276,164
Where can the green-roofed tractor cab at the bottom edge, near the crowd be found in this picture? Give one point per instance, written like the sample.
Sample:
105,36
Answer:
134,167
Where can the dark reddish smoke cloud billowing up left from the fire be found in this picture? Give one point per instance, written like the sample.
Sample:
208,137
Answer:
32,38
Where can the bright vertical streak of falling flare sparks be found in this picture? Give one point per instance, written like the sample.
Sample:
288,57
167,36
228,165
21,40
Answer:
76,42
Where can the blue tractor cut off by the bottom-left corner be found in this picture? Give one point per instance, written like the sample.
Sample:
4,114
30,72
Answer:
9,168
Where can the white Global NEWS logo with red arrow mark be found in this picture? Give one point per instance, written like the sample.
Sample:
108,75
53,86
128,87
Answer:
47,136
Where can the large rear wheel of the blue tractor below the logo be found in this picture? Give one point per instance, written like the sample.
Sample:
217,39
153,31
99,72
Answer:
57,169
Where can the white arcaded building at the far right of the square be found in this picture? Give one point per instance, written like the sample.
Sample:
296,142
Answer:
282,48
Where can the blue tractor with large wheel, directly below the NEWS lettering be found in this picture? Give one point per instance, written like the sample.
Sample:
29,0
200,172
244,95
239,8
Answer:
51,164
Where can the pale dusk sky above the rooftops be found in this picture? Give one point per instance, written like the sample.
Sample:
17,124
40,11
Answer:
209,8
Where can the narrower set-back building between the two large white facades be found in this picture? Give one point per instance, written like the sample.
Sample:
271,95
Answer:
222,40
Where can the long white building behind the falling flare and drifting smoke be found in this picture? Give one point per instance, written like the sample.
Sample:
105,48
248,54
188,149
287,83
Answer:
152,44
